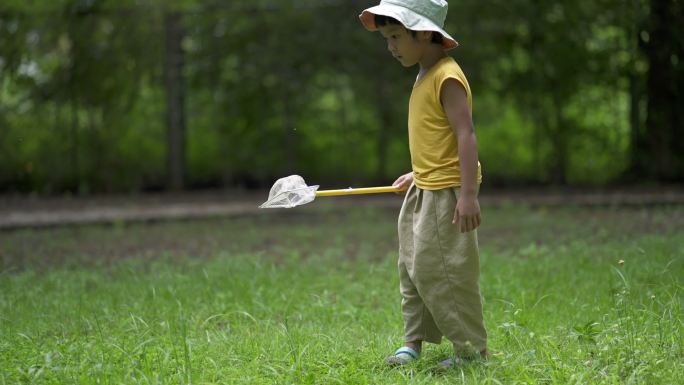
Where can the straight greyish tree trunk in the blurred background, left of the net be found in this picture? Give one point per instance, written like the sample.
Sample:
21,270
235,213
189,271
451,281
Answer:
175,101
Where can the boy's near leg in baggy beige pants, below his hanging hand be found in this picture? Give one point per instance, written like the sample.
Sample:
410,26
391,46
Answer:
446,270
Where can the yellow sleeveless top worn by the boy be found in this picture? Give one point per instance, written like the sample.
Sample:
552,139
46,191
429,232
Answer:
432,141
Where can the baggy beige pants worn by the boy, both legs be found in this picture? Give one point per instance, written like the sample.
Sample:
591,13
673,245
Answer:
439,269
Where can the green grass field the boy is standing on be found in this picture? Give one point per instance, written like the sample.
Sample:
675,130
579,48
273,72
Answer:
310,296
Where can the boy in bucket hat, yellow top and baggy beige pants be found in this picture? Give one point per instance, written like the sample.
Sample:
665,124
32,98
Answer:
438,252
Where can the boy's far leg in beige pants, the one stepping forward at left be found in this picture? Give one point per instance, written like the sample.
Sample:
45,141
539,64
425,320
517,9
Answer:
418,321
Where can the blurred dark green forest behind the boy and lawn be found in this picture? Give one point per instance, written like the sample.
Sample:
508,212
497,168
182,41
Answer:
149,95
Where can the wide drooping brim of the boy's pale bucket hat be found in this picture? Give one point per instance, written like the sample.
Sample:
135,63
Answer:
408,19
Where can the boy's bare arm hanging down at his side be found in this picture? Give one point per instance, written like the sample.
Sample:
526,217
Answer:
455,101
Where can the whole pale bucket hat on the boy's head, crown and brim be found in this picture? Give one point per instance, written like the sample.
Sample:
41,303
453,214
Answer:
416,15
